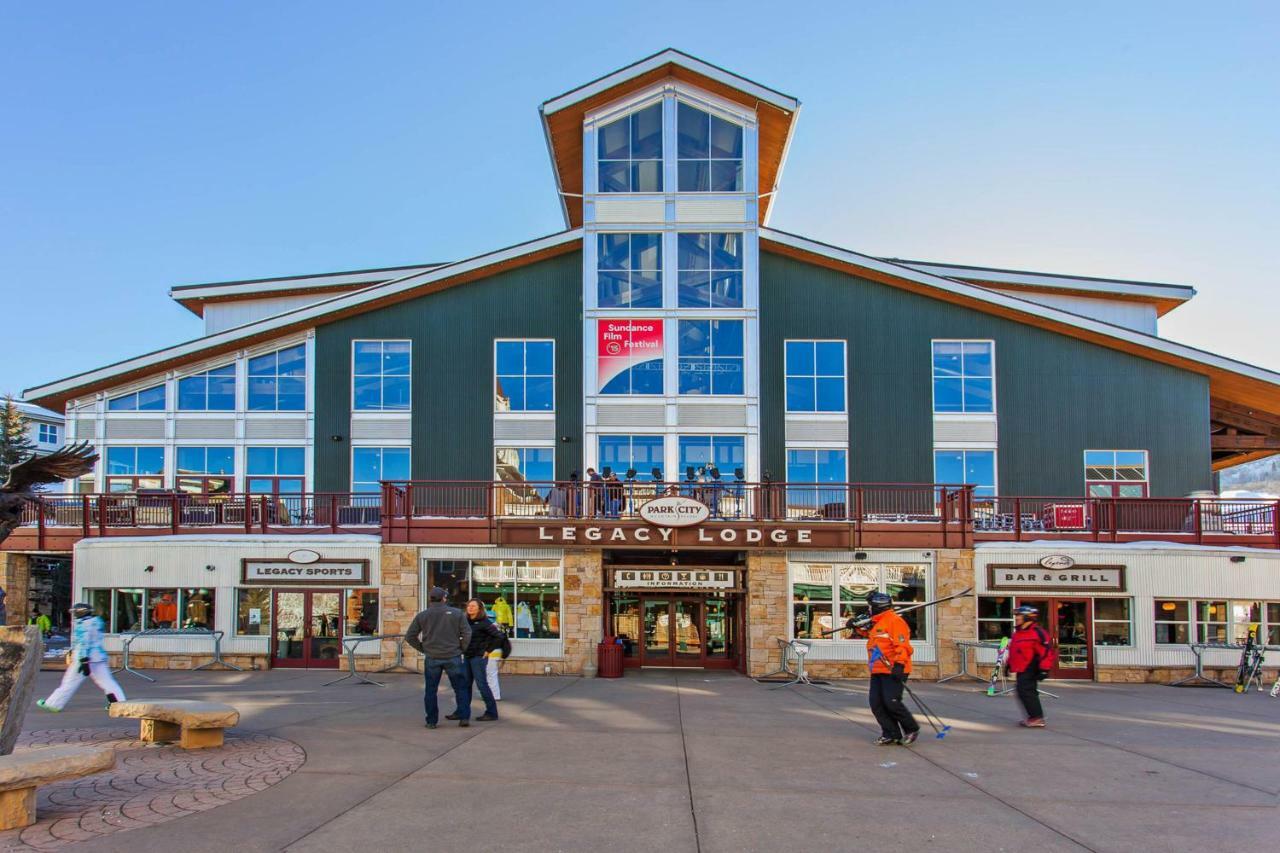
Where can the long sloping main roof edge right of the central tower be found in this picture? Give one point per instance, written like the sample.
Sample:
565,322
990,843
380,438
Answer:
1229,380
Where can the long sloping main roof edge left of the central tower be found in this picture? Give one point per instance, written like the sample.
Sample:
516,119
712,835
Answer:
56,395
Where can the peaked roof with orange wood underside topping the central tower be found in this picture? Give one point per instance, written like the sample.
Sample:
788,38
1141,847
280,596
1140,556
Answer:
563,118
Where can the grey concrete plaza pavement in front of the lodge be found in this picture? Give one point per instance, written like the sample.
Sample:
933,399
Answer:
679,761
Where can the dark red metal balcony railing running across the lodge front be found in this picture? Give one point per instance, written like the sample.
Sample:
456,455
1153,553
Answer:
54,522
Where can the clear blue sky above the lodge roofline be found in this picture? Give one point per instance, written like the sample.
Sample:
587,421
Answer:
157,144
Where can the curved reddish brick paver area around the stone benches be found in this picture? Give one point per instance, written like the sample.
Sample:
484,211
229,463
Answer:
150,784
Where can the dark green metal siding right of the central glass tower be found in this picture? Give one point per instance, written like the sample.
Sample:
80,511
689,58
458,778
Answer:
1055,396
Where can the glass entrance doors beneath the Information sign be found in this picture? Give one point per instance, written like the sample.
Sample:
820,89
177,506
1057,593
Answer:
687,631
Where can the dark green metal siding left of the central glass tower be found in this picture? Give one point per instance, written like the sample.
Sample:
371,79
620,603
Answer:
452,386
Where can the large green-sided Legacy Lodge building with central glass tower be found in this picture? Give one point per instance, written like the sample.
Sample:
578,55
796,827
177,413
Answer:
790,426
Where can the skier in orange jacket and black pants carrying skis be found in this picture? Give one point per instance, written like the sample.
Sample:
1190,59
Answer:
889,650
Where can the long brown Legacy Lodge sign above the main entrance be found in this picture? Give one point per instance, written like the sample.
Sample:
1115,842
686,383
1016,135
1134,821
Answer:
707,536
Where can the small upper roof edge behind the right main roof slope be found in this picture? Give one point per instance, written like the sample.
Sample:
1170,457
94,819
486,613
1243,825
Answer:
1164,297
